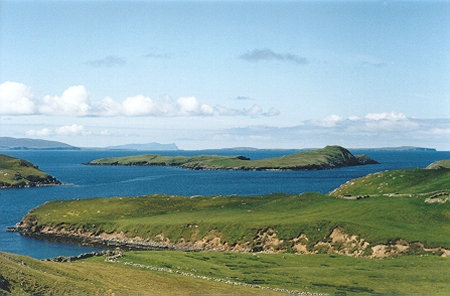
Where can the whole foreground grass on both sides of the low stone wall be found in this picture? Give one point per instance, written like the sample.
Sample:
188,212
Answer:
331,274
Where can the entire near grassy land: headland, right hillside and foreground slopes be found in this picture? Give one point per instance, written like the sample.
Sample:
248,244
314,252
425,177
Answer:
382,234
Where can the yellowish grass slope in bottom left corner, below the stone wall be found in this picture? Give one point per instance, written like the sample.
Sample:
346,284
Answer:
21,275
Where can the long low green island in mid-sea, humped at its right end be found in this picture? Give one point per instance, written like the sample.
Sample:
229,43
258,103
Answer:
325,158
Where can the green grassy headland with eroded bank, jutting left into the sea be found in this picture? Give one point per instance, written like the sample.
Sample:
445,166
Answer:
269,223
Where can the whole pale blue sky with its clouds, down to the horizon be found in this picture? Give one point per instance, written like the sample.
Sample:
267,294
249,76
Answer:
223,74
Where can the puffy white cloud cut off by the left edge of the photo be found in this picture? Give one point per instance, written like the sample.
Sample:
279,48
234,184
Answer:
16,99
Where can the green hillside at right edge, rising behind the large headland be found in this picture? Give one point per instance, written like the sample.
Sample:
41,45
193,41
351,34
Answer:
411,181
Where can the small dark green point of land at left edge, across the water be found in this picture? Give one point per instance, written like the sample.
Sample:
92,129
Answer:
19,173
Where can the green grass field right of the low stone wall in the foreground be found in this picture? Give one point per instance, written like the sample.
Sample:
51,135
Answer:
332,274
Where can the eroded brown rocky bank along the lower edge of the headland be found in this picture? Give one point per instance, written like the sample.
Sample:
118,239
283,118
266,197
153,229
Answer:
266,241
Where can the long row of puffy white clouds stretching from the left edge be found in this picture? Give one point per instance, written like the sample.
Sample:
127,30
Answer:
16,99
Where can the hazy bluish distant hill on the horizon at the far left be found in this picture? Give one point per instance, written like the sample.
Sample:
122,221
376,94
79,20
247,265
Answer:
9,143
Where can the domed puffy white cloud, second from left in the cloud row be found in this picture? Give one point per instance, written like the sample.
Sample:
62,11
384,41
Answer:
73,101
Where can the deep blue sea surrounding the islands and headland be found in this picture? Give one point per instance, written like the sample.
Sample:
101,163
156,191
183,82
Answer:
83,181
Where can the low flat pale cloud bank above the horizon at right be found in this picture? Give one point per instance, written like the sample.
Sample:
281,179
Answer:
397,130
